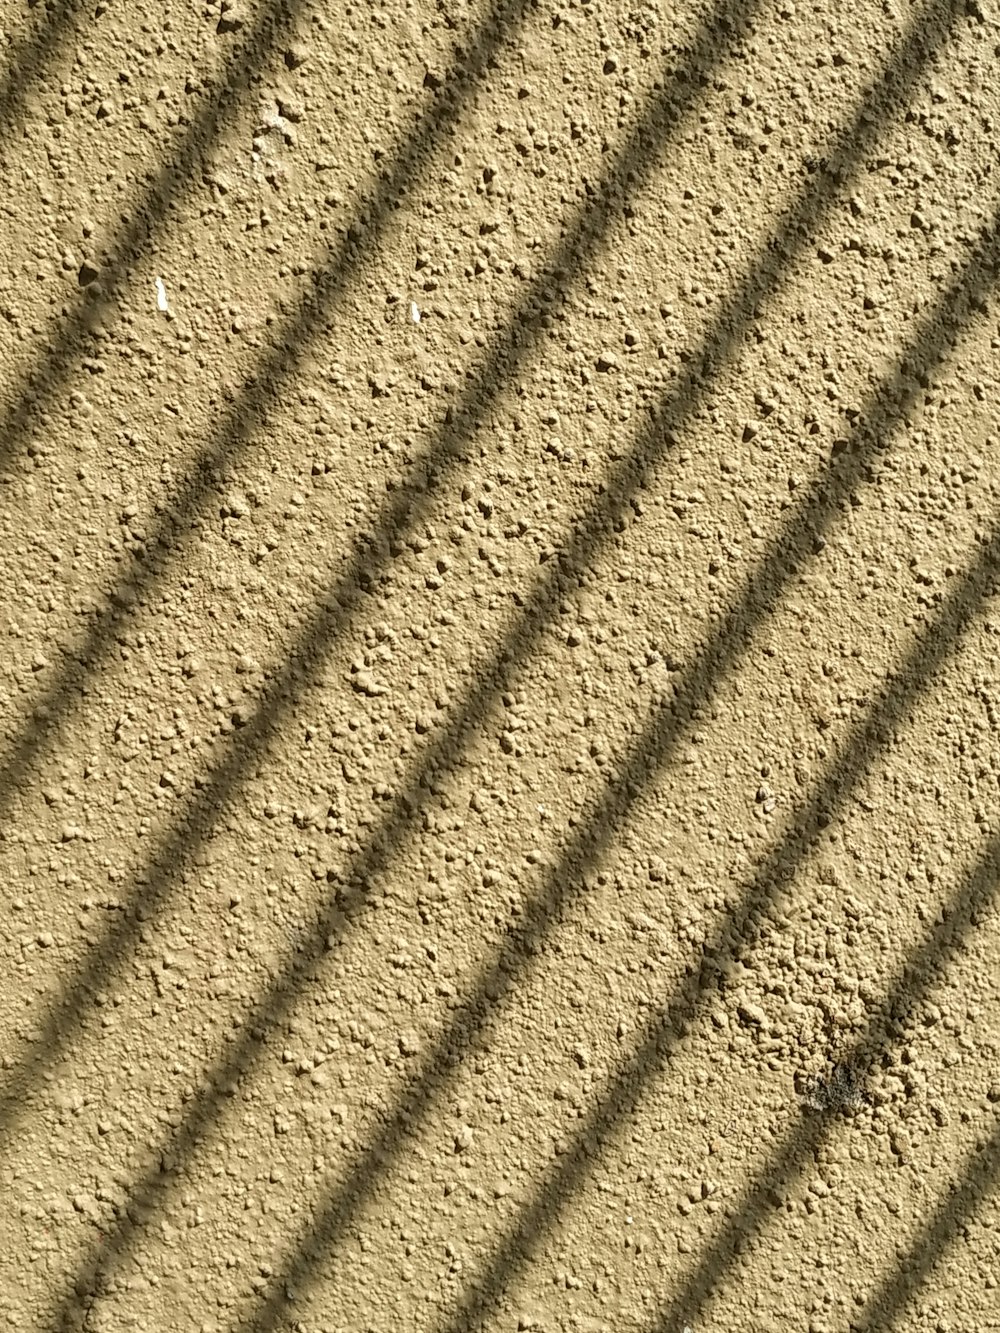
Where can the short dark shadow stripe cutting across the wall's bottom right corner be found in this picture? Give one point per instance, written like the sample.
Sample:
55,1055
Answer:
978,1179
